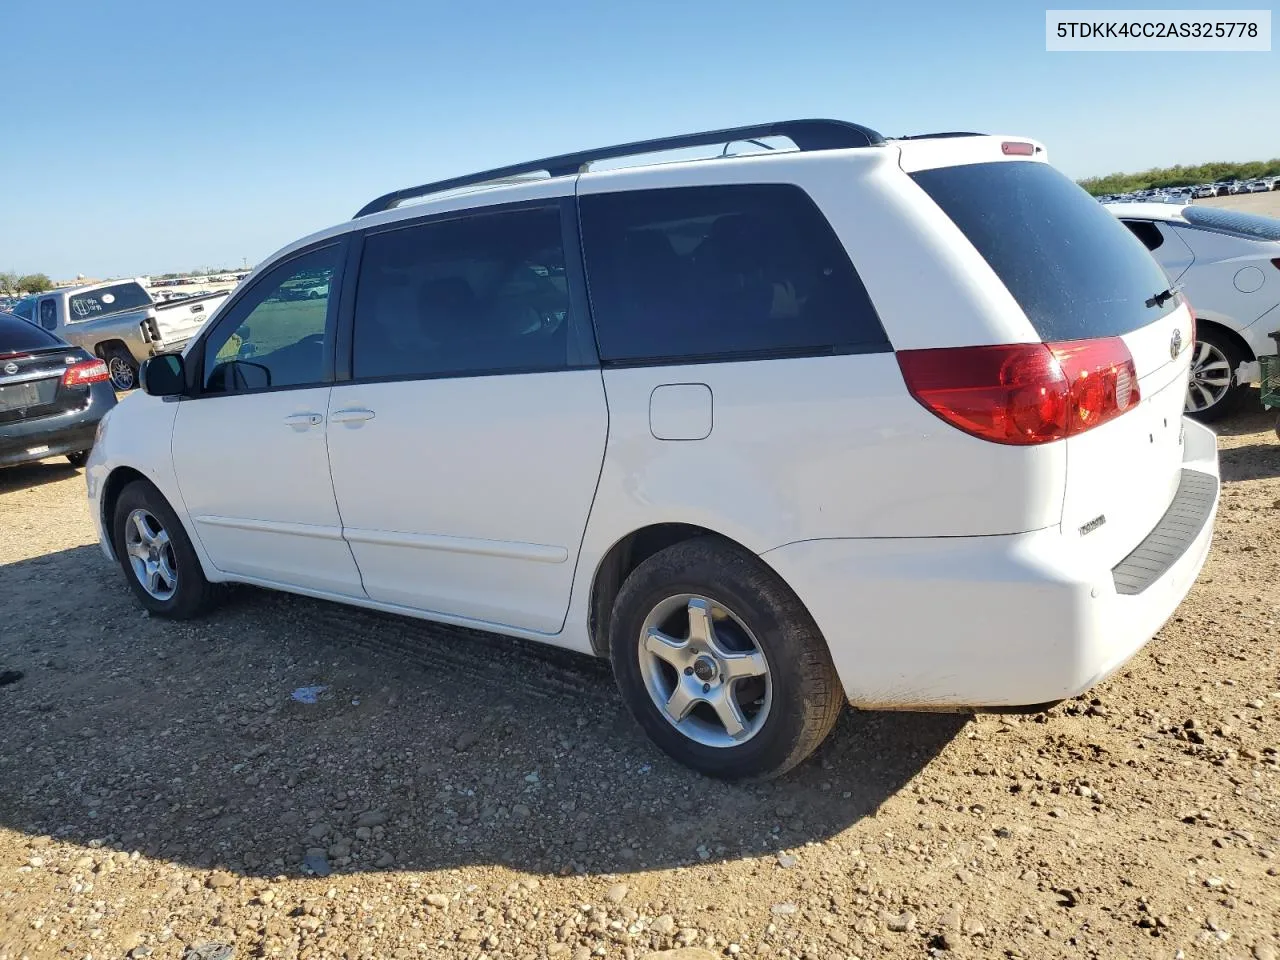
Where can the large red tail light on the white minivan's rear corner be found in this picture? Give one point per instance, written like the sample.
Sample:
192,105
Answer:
1025,394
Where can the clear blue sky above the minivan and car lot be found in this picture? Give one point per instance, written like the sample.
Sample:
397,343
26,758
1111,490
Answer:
147,138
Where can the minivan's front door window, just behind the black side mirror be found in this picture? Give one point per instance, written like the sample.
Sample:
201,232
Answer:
275,336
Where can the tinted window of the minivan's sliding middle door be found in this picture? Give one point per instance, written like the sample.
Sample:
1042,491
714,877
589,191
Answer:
484,294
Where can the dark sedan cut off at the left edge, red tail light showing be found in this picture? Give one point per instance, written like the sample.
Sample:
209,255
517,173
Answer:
52,395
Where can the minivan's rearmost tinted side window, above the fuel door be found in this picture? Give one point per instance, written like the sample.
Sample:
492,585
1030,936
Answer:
721,272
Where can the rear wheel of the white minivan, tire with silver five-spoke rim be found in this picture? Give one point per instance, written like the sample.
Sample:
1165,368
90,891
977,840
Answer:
756,621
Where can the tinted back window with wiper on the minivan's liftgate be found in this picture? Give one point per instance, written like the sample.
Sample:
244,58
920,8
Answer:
1072,266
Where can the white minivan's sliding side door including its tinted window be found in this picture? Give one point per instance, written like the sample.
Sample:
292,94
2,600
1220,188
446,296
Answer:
468,444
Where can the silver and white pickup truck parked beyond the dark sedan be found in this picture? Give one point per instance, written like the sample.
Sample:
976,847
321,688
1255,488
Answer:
120,322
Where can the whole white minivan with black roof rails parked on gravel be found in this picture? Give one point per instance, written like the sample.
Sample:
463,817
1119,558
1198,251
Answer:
894,423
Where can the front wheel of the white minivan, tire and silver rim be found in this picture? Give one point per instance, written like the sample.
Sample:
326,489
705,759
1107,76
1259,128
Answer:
184,593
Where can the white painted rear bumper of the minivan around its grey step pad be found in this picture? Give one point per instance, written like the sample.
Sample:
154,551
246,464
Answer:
998,621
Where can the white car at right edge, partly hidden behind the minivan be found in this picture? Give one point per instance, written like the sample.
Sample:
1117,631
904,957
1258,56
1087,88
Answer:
1228,264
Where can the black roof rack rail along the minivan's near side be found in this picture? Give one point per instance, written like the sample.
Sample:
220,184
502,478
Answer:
807,135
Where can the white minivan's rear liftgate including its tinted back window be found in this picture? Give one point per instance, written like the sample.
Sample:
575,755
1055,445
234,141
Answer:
1078,275
